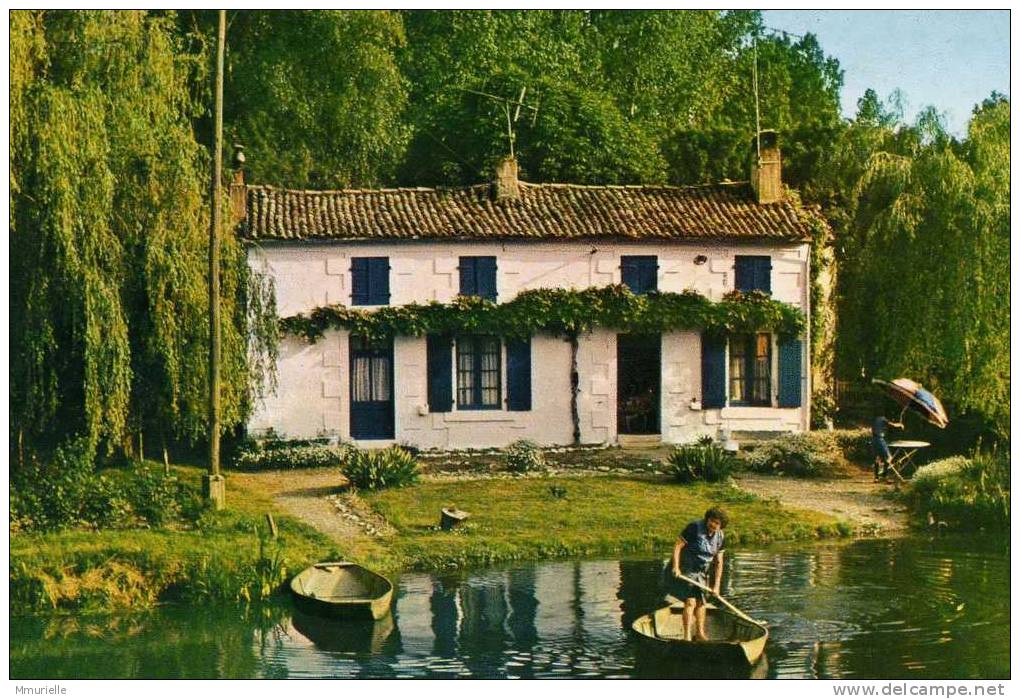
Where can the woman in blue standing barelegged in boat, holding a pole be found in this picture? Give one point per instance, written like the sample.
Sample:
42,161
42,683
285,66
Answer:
697,554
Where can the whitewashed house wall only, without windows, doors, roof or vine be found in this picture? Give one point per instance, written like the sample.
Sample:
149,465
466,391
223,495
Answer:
314,394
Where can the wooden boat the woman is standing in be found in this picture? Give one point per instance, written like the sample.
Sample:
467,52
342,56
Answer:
732,639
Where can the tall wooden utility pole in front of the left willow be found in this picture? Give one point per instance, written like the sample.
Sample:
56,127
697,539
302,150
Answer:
215,486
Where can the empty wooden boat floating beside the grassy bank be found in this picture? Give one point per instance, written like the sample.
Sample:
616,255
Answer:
342,590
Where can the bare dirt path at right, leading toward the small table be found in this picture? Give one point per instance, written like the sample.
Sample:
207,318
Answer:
866,505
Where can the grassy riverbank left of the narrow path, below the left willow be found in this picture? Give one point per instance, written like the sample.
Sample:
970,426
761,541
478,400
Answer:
225,556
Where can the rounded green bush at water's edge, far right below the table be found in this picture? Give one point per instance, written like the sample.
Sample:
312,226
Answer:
965,493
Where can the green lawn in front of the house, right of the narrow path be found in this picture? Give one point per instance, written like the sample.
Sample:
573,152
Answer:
523,519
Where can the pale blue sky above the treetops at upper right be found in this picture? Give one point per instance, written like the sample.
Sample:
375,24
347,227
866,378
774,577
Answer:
952,60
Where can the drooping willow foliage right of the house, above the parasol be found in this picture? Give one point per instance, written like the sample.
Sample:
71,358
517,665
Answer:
897,194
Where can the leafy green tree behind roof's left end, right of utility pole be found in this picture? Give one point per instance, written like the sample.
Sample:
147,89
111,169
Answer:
318,96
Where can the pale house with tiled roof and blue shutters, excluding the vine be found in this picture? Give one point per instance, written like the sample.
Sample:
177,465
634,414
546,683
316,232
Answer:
373,248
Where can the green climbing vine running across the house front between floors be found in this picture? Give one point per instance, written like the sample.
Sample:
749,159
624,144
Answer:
558,312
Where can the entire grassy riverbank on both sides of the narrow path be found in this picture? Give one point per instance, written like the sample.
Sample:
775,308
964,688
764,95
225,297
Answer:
228,557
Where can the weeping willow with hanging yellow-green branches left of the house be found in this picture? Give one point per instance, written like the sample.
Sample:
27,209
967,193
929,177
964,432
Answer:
109,233
